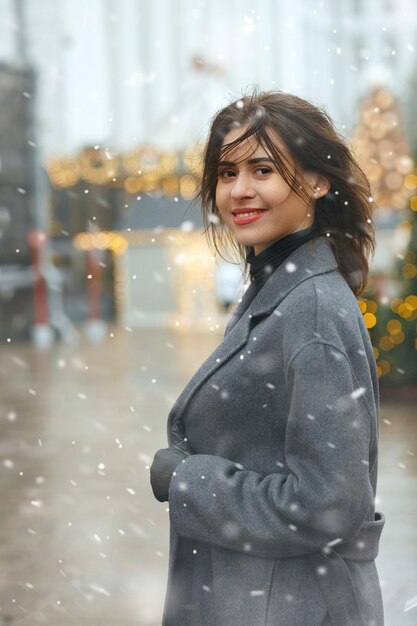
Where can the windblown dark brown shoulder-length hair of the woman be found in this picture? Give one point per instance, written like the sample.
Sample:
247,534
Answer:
343,214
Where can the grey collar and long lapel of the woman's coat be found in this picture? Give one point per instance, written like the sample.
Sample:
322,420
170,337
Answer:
311,259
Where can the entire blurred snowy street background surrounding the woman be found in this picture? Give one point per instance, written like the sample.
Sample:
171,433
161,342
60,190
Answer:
110,297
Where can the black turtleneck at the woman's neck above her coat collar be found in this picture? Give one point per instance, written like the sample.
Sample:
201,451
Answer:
263,264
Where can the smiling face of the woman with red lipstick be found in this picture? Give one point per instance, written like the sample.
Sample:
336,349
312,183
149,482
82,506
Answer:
254,200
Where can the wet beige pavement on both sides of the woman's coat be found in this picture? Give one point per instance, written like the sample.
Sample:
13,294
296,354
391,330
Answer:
82,541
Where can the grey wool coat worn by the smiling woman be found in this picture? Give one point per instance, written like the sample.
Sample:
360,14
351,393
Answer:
273,519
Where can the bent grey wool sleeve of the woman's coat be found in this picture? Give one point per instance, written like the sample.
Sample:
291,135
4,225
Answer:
326,493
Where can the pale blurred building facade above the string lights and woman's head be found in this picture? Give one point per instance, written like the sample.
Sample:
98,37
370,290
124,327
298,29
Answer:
123,73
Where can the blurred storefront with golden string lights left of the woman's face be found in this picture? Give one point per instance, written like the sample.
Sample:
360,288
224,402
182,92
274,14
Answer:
128,224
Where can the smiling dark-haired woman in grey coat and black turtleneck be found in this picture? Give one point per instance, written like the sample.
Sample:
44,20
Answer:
271,468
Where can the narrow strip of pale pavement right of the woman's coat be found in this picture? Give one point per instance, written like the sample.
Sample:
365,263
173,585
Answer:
397,498
